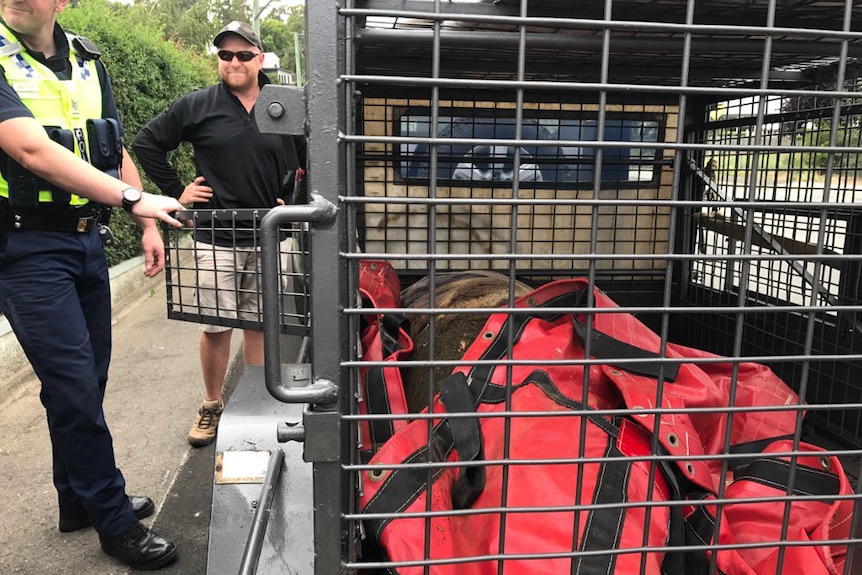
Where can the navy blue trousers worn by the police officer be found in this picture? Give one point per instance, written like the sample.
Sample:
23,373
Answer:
55,293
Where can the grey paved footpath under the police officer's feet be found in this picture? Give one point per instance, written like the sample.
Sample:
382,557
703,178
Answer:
154,389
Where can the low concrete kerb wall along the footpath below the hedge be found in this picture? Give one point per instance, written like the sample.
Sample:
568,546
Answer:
127,284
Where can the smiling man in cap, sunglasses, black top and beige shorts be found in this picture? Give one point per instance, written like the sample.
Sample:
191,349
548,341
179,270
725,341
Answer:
237,168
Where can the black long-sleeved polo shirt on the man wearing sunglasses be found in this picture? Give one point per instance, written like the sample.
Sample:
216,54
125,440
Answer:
244,167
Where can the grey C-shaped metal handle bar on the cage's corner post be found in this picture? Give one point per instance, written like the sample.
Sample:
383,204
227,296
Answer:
317,211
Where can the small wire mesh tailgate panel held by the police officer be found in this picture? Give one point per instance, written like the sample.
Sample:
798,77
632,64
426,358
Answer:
213,269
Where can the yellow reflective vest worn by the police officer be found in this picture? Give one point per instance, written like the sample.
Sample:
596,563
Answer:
65,104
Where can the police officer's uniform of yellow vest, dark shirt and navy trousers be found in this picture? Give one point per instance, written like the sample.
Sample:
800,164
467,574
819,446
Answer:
54,284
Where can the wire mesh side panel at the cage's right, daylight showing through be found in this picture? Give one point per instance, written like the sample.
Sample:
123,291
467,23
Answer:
800,220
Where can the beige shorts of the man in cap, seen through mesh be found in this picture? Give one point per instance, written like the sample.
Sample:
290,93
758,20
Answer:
228,280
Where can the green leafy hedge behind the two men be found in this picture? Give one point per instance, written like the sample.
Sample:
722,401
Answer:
147,73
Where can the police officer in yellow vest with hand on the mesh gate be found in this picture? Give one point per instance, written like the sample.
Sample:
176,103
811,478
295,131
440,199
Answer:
61,142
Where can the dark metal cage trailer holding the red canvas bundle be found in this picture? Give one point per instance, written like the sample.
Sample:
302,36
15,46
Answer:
584,295
